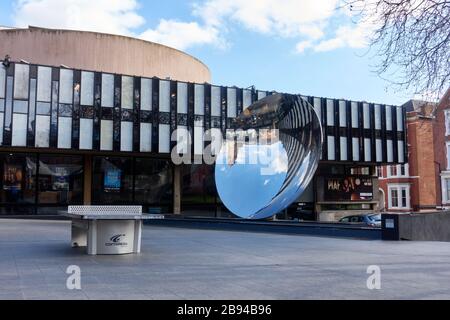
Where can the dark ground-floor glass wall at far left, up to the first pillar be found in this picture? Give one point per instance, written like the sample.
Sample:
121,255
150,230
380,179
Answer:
43,184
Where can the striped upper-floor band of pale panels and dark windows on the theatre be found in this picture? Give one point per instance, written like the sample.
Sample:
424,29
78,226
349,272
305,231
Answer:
47,107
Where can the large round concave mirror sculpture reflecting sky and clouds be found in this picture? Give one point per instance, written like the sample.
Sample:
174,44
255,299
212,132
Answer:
270,158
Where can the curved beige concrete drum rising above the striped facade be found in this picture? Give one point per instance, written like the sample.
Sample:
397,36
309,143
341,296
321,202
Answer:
101,52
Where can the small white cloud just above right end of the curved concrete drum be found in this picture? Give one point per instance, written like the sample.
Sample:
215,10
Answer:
182,35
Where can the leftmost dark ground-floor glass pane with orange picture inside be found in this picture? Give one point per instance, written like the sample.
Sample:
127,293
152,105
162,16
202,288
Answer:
18,179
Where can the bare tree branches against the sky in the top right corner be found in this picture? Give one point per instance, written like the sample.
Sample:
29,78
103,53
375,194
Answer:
412,39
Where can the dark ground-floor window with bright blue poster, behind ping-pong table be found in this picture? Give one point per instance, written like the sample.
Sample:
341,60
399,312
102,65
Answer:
112,181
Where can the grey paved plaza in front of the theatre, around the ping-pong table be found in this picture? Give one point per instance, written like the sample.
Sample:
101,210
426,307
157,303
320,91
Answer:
178,263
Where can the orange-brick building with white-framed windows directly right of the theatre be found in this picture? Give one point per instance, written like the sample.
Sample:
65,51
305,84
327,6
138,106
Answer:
414,186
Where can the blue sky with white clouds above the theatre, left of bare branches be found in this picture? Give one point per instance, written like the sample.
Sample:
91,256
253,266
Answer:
294,46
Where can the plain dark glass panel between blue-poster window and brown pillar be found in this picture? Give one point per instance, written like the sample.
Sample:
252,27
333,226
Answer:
153,182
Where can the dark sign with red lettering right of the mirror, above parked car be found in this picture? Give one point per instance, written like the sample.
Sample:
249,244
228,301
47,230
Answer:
348,189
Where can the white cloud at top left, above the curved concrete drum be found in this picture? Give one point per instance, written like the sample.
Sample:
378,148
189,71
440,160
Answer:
111,16
